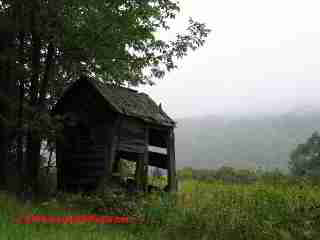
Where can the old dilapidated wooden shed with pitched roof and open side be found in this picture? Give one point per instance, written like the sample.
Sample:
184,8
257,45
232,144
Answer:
104,123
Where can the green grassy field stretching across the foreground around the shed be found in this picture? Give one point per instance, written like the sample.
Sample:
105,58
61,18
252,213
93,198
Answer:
201,210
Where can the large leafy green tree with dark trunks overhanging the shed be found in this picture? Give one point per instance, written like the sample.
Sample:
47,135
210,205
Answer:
48,44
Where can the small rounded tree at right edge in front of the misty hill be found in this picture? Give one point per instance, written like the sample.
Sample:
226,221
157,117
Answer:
305,159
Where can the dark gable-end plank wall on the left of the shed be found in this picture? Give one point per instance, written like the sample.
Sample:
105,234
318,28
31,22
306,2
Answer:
81,157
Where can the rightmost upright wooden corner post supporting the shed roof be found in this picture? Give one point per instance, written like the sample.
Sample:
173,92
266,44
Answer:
171,162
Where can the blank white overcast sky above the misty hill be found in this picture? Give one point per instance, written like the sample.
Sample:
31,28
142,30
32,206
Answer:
261,56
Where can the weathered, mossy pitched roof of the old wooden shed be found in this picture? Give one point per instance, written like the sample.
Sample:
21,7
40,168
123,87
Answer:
128,102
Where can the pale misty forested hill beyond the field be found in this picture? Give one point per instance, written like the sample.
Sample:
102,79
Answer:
243,142
